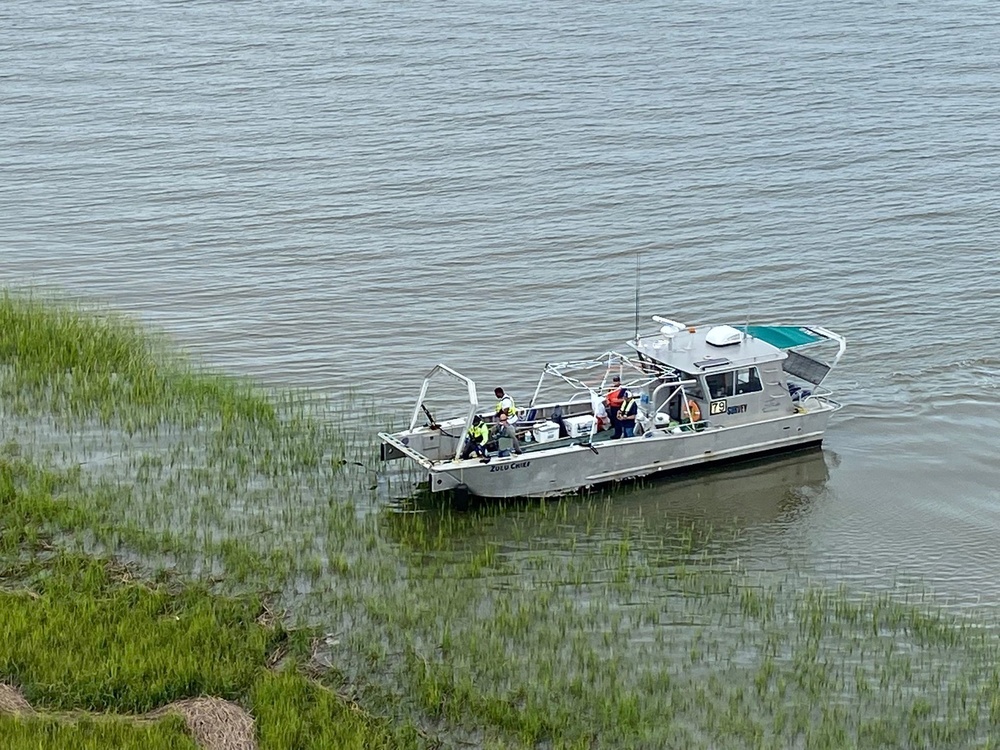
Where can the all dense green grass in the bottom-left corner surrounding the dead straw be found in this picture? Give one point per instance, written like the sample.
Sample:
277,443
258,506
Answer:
83,635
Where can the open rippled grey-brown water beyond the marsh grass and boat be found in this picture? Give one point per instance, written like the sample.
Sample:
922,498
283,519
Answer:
339,196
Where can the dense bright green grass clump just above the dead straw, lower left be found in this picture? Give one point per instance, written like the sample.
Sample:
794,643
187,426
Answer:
82,641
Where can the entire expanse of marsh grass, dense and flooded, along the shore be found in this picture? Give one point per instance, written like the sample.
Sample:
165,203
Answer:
565,624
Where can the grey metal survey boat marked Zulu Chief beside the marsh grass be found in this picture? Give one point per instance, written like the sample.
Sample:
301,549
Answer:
706,394
